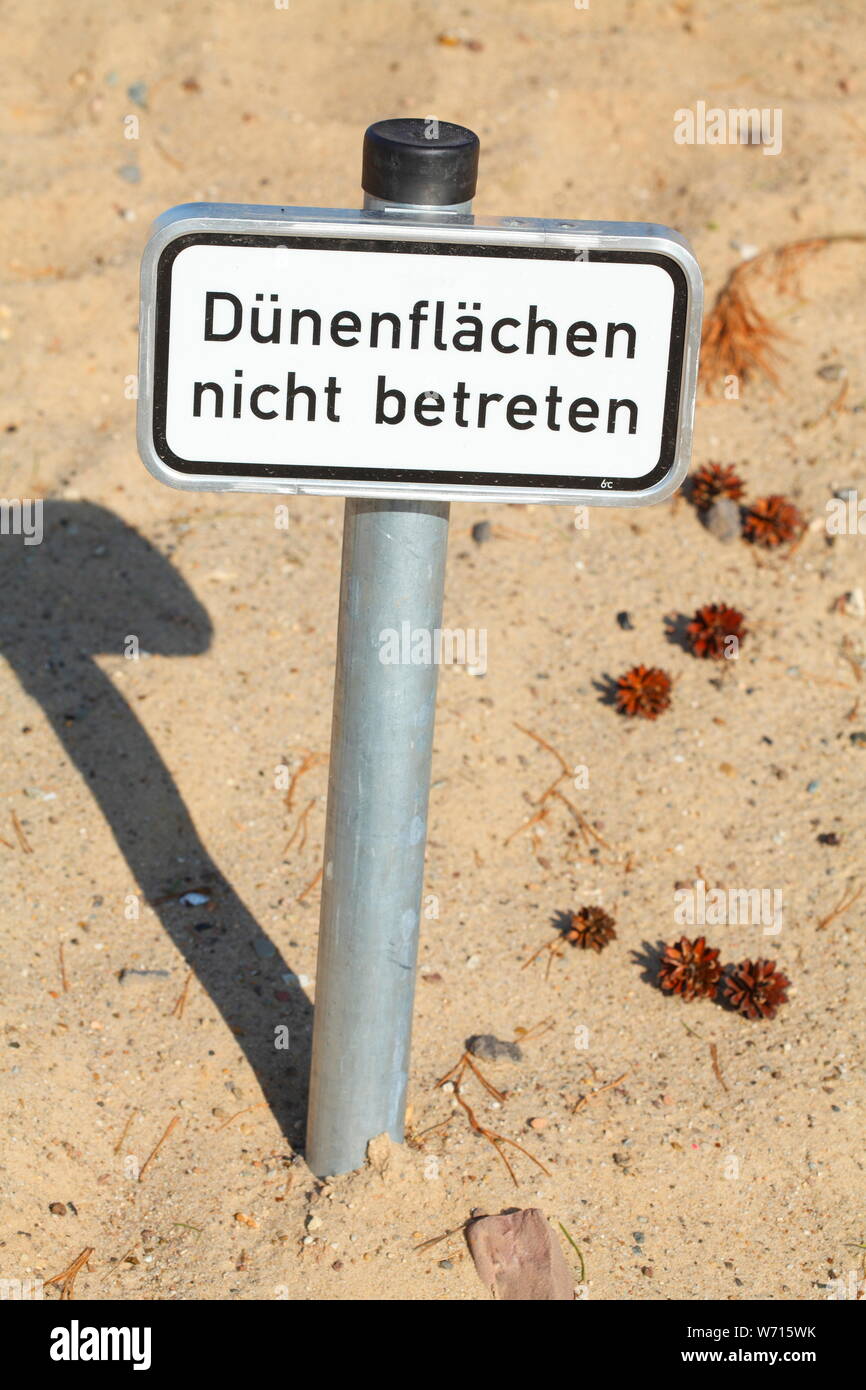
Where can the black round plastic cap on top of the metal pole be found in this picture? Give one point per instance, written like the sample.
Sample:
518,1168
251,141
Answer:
420,161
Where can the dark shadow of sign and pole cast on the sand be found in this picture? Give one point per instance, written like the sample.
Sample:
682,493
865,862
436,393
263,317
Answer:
83,591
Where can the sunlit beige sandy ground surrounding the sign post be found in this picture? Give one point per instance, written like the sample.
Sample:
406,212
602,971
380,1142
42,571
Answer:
131,782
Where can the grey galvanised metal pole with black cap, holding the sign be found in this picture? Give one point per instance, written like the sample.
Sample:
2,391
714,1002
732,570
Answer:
382,742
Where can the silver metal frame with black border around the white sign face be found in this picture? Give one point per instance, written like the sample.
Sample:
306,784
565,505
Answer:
416,234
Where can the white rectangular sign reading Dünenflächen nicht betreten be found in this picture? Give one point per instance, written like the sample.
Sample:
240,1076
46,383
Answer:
391,355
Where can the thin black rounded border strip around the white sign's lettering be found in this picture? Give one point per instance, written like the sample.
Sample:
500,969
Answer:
490,480
